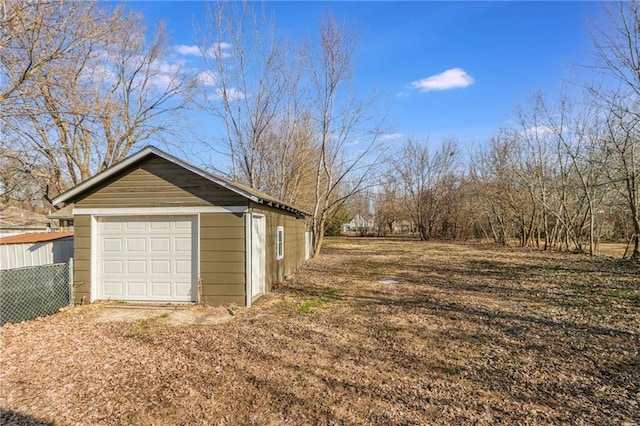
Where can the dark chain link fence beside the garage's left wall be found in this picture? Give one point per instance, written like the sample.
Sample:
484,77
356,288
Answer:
28,293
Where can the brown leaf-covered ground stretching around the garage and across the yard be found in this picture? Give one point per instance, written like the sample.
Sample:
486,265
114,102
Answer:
469,334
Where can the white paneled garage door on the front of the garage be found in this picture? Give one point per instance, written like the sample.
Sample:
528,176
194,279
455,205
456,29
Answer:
147,258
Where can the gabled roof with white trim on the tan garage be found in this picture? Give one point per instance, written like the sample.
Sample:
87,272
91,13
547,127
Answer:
242,190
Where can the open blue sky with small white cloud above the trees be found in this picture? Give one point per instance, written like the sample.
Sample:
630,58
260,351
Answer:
446,69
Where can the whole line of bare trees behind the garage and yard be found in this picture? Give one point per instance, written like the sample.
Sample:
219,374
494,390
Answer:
84,83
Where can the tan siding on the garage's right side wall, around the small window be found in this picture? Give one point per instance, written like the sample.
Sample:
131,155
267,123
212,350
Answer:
277,270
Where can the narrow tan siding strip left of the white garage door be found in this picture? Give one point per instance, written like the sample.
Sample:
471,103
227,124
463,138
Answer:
82,259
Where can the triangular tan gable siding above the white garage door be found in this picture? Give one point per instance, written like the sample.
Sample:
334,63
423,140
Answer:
159,183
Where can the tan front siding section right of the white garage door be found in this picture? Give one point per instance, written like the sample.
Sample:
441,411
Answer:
222,258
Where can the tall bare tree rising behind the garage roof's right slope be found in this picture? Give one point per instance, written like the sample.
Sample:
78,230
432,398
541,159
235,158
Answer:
252,88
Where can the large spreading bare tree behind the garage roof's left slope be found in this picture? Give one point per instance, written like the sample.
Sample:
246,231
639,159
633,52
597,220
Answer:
104,94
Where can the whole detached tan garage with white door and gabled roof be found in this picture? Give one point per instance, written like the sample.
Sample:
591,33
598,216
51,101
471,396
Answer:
153,228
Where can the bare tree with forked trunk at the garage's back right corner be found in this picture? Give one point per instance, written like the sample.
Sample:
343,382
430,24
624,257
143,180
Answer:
340,121
